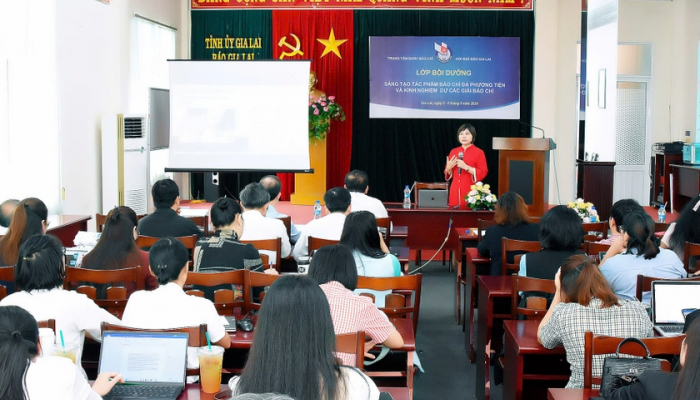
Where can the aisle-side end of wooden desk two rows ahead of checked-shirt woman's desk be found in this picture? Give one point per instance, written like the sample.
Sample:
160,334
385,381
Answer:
473,266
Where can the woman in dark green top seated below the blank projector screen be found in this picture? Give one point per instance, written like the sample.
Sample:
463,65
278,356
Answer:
223,252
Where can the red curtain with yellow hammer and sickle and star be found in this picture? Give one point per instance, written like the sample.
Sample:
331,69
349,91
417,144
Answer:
326,37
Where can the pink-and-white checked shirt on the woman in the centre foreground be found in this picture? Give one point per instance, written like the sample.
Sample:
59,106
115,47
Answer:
352,313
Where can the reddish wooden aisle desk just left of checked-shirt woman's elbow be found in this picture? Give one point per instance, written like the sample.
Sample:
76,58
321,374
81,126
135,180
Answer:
521,341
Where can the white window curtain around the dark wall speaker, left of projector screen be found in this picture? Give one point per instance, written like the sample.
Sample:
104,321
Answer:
151,46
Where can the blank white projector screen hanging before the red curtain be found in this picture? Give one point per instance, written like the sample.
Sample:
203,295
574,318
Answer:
239,116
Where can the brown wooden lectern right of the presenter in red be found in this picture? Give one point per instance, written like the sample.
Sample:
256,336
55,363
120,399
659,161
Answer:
523,168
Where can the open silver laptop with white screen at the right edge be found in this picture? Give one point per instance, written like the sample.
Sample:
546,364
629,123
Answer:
668,300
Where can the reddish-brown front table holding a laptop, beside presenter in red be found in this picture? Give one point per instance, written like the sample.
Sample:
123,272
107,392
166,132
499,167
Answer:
427,228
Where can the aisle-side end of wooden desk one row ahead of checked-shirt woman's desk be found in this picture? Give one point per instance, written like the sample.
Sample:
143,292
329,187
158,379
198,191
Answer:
490,289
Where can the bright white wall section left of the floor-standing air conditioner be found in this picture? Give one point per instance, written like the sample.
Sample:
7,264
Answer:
93,79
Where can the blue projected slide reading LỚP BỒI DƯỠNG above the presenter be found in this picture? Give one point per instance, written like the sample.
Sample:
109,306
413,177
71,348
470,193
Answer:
444,77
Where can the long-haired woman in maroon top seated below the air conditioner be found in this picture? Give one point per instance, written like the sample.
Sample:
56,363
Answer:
117,249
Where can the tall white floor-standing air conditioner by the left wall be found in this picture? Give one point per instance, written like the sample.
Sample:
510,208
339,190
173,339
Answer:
125,162
